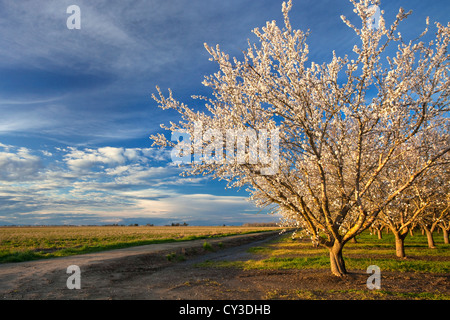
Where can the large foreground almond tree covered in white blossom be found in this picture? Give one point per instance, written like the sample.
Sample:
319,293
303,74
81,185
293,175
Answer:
340,124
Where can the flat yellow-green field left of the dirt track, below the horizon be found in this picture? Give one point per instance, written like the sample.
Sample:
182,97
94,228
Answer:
18,244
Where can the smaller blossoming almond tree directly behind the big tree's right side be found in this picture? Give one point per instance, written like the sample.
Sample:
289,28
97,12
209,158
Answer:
427,198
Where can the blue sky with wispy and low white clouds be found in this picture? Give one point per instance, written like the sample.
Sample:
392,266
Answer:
76,109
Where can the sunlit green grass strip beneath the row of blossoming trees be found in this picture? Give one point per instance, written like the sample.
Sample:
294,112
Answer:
286,253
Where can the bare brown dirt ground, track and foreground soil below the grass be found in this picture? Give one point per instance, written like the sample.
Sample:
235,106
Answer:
170,272
